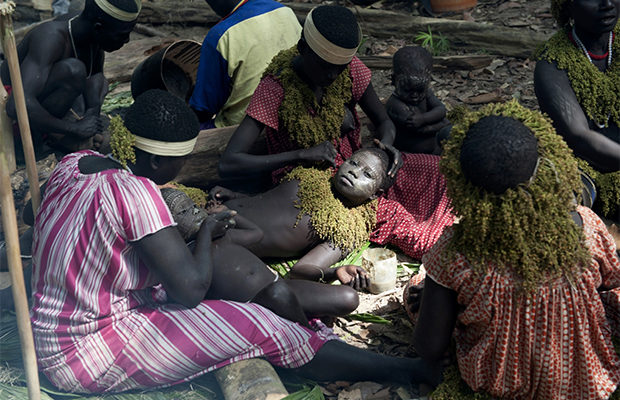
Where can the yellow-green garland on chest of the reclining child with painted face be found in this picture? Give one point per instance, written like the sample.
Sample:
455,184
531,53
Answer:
347,228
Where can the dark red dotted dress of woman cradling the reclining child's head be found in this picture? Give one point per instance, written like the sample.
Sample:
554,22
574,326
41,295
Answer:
415,210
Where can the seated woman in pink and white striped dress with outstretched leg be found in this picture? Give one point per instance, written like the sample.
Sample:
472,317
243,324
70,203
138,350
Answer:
118,298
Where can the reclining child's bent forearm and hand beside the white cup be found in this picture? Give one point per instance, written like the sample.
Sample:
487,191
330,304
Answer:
316,266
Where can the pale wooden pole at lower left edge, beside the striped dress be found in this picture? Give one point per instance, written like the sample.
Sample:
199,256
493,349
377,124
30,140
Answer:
9,224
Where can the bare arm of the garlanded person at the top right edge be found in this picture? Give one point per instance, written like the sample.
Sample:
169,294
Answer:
557,98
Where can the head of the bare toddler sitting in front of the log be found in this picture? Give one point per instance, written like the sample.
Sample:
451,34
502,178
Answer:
411,73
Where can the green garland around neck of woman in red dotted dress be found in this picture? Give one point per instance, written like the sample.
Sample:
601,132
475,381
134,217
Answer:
307,130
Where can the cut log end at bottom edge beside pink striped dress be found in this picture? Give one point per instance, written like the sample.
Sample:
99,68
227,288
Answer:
253,379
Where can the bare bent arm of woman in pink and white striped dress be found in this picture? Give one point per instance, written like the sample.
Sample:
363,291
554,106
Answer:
185,276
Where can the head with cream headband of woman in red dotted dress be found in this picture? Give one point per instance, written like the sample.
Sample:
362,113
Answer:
330,39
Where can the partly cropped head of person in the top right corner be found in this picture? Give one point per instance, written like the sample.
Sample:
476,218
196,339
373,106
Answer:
591,16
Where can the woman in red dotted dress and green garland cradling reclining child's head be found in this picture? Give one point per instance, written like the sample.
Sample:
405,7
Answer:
306,103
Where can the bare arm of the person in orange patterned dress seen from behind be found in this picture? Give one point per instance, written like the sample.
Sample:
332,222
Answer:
438,312
